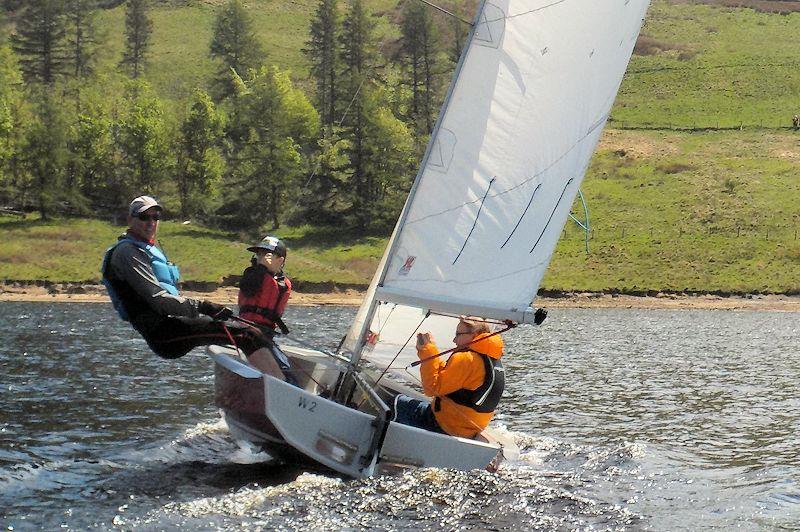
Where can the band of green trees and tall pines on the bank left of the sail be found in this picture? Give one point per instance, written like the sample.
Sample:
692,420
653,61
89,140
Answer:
249,149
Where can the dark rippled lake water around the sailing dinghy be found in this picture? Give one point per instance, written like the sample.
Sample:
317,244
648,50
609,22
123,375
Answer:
627,419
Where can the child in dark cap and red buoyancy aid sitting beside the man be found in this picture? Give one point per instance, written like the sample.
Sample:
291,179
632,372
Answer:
263,293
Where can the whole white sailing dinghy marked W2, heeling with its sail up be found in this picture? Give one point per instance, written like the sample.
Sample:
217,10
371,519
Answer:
530,96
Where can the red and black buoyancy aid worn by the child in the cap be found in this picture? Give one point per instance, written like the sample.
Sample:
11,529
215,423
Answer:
263,296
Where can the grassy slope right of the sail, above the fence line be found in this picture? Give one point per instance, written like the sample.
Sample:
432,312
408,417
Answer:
717,67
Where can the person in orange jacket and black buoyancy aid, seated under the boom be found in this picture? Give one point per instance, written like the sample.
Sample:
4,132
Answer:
465,389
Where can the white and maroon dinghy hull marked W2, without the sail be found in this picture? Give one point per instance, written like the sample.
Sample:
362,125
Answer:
300,425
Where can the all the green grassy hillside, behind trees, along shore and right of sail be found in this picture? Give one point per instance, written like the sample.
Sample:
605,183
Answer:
703,210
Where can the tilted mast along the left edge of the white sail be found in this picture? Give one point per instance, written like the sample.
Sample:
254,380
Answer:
390,248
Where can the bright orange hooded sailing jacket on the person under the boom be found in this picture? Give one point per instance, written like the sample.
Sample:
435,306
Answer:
463,370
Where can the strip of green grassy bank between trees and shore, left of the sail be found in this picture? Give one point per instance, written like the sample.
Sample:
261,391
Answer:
69,250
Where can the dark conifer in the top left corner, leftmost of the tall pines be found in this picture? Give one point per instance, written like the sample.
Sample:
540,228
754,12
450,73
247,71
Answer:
40,41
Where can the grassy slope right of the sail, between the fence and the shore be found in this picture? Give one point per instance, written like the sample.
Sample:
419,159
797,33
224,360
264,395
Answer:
711,211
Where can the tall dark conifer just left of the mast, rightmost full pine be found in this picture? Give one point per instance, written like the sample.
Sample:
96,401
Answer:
419,53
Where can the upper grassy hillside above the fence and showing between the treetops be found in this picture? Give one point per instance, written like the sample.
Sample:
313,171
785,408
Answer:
695,65
